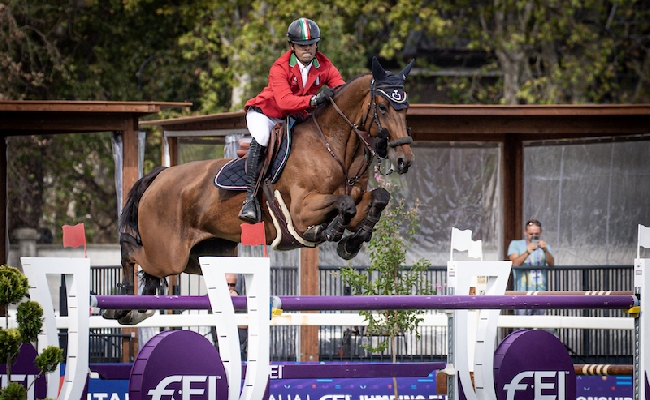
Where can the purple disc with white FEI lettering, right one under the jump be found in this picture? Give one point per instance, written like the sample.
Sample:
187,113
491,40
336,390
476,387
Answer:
533,365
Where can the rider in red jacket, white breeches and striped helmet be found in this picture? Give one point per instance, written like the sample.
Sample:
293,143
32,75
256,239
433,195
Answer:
294,81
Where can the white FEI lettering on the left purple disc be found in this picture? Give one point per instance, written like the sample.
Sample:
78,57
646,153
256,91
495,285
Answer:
187,389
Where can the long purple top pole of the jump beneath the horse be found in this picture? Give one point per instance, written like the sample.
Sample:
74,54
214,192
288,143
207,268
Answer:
321,303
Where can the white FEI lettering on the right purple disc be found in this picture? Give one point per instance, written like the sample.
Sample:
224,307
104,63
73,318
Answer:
547,385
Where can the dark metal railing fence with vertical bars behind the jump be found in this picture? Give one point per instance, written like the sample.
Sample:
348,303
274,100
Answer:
349,343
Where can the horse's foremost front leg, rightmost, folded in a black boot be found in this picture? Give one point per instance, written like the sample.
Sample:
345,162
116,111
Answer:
375,201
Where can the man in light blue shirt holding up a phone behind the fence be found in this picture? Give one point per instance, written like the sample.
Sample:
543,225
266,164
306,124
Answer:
531,251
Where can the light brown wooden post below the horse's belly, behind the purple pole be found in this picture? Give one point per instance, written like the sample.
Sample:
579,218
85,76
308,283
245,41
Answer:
309,287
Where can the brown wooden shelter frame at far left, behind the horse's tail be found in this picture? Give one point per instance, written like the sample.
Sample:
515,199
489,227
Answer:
21,118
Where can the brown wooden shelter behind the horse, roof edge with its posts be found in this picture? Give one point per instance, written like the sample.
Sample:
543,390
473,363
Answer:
509,126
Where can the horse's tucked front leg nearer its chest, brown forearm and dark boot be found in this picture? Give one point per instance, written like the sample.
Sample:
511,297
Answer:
315,217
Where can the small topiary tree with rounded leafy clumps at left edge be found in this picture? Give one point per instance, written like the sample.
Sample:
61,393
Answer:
29,317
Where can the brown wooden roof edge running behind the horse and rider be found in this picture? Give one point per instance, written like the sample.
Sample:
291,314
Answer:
438,122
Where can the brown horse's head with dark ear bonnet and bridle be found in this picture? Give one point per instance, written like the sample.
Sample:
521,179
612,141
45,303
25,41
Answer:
388,104
